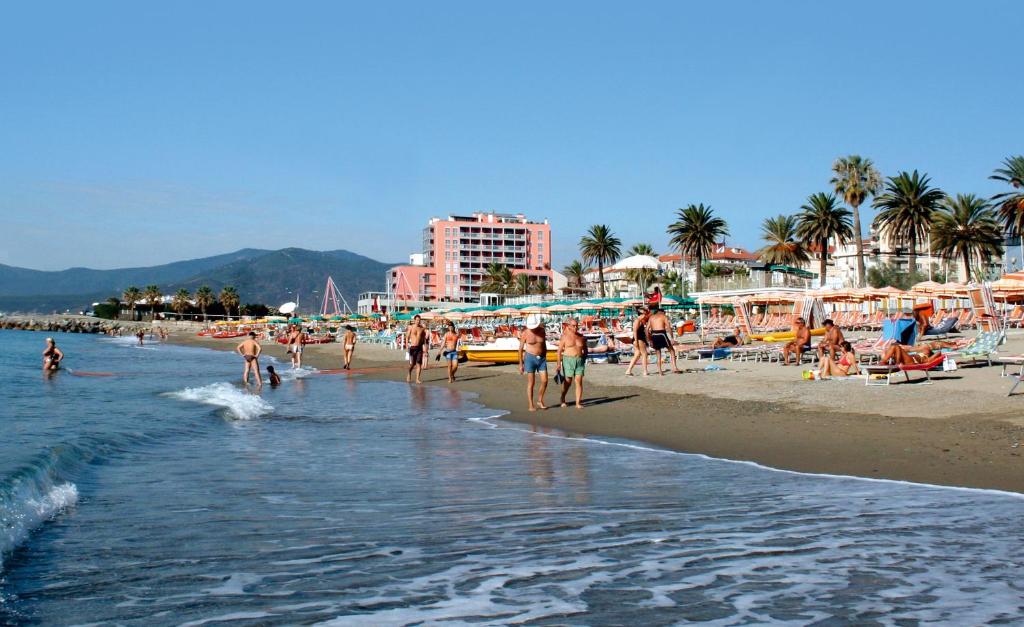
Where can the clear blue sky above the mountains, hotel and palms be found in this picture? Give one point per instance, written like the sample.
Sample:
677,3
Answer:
138,134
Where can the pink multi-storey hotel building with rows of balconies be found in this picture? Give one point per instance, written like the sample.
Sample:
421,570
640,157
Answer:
457,253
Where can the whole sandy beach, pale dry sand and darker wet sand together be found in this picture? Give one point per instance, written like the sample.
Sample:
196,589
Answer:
962,431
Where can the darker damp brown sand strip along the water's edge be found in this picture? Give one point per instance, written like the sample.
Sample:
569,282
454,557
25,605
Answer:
958,450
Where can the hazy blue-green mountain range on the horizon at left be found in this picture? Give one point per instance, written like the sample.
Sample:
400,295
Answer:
270,277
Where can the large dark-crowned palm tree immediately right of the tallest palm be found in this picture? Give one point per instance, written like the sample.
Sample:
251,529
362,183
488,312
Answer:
907,210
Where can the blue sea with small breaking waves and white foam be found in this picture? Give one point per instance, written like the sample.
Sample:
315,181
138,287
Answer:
167,494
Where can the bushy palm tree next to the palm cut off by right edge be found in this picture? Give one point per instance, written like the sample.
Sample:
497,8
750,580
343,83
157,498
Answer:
965,228
